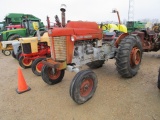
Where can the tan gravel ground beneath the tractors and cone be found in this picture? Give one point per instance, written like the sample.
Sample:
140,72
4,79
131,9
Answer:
116,98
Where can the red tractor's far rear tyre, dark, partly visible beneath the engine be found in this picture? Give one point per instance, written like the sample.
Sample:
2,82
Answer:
96,64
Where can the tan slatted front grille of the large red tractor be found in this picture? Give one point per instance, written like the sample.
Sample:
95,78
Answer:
60,48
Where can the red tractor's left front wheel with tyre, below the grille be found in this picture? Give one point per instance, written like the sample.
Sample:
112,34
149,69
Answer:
51,76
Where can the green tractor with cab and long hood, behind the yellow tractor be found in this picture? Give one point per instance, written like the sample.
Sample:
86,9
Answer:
26,29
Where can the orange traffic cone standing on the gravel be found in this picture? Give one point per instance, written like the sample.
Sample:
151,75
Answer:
22,86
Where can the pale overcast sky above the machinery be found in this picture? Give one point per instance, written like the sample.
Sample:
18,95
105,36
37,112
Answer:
87,10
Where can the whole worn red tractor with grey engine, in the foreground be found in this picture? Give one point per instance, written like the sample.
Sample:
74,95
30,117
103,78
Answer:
82,43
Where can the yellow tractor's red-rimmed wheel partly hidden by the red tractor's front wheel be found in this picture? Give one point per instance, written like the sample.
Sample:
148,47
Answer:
37,66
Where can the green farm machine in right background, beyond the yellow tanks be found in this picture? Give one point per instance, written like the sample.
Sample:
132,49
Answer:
135,25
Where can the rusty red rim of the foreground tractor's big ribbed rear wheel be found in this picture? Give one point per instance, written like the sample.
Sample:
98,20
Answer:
135,56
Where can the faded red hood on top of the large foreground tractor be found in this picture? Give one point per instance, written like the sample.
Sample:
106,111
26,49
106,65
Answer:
77,28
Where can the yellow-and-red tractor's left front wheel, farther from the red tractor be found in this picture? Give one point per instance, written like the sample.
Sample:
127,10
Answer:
25,62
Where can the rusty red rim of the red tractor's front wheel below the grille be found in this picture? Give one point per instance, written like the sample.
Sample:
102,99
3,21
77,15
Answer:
54,75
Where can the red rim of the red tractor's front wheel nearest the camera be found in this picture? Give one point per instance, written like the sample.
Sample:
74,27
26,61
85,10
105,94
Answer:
86,87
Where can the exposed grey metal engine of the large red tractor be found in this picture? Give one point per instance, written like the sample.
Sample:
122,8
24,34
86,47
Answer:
89,51
